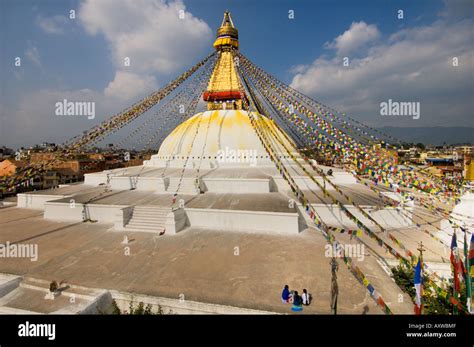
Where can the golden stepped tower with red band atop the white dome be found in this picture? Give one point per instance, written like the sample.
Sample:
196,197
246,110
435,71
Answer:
223,89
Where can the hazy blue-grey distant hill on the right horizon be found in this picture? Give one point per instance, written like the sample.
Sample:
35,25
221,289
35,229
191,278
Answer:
432,135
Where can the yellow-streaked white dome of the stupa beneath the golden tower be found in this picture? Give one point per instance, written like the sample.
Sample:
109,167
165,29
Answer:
216,138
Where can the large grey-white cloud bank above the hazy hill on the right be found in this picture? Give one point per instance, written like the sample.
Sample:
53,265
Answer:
413,65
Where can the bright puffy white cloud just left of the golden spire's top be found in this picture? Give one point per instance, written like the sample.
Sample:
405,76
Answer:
150,33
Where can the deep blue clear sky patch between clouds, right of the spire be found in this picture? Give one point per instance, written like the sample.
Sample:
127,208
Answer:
276,43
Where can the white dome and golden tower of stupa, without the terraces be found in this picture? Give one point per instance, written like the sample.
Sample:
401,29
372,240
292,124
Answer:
223,135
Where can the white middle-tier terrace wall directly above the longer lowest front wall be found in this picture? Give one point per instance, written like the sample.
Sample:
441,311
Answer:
236,185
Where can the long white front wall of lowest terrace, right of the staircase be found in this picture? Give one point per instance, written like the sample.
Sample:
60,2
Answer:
247,221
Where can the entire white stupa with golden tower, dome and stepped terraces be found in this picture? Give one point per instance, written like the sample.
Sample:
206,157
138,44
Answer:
212,171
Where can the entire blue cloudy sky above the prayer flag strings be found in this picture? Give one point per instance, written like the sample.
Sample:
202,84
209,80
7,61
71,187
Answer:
406,60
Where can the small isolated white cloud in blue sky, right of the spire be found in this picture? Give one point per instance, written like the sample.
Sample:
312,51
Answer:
357,36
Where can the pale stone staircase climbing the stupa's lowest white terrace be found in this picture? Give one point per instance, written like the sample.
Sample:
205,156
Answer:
148,219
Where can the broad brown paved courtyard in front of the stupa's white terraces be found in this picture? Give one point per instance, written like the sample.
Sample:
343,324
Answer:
230,268
